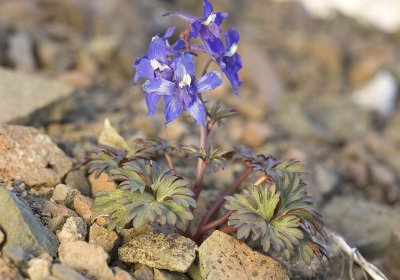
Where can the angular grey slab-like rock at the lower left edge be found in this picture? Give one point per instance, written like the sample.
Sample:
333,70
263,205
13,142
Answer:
23,228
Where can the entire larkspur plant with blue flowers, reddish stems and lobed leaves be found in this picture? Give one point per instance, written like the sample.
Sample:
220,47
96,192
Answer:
275,210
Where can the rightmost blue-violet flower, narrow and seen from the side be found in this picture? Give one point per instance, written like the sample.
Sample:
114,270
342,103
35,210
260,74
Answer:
230,61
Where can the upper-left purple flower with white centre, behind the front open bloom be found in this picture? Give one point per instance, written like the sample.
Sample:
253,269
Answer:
155,62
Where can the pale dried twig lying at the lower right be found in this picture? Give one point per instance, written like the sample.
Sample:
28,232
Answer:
355,256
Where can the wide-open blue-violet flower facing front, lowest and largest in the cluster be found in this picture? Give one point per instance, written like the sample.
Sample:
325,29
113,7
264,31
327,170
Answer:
182,92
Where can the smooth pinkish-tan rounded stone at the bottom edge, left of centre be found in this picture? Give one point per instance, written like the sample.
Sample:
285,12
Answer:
89,259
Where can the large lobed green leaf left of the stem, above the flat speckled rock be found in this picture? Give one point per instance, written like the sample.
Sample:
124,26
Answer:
158,196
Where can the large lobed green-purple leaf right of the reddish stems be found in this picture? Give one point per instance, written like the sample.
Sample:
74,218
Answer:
281,216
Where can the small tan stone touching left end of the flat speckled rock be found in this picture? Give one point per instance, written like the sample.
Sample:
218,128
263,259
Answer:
109,240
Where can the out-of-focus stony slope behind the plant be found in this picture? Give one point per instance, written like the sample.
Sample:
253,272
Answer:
320,85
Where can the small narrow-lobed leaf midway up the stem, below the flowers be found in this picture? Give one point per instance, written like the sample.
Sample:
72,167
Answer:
215,157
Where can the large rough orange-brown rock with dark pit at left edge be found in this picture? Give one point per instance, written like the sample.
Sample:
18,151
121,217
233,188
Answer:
30,156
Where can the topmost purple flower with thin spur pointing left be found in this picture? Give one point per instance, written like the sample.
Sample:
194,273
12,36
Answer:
206,27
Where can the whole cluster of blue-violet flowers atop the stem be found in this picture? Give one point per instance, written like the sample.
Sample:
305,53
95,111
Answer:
169,69
